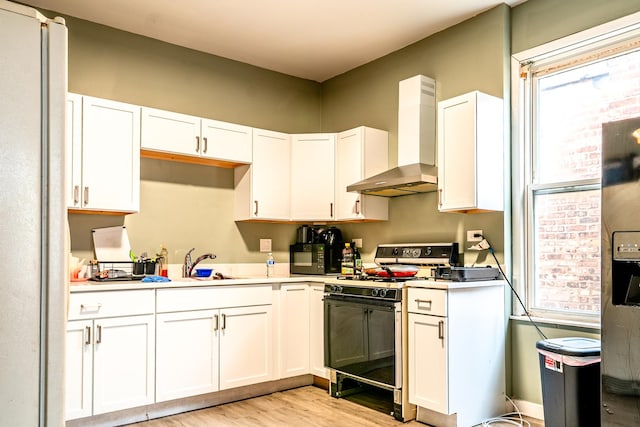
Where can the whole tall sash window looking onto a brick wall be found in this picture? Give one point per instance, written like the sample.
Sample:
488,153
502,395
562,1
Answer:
563,96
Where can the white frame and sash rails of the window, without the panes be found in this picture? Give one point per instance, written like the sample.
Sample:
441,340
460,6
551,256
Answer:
606,37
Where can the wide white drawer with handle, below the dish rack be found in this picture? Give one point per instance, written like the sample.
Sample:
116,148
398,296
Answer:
95,305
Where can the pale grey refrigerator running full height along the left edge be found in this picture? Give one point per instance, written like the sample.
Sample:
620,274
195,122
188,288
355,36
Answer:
33,236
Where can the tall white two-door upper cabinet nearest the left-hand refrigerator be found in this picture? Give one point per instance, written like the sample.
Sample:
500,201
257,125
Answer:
104,145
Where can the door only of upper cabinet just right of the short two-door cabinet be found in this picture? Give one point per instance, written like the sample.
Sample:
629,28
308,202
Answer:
271,175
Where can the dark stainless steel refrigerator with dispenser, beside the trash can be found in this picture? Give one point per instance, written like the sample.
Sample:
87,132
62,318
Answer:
620,351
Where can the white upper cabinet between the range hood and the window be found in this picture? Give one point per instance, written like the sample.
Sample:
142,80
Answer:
470,153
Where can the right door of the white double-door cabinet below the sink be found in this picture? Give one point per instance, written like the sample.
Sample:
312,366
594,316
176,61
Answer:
246,346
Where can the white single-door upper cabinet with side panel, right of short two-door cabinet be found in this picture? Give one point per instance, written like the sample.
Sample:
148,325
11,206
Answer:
262,189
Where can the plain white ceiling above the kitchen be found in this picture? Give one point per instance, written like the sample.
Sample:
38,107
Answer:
311,39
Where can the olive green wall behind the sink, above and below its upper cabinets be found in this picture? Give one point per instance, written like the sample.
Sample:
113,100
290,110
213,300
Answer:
185,206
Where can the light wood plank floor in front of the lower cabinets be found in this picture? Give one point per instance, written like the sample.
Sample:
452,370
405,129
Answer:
305,406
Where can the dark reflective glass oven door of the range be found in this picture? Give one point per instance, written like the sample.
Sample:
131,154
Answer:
362,338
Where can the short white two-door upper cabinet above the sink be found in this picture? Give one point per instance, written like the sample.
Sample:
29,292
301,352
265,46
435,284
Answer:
175,136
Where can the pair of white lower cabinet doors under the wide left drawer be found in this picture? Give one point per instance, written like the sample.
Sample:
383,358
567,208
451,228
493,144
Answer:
109,364
